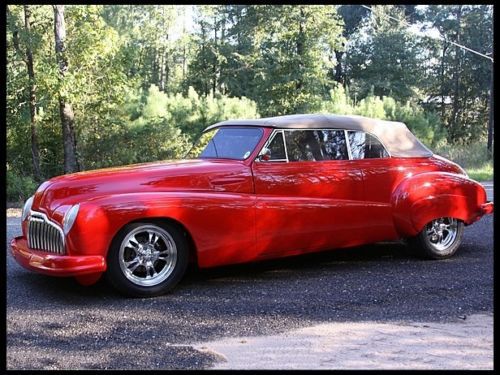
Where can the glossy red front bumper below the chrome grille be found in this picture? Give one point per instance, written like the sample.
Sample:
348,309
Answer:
55,265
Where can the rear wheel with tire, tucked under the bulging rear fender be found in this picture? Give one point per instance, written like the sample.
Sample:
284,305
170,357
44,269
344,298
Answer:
439,239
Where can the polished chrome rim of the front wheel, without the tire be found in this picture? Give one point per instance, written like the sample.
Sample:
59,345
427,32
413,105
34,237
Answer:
147,255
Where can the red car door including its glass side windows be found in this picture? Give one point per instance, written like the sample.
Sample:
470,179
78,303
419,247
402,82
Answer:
308,195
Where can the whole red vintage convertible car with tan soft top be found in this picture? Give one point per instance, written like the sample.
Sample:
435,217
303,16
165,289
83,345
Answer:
250,190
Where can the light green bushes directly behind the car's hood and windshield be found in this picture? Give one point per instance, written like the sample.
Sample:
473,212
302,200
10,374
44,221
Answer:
163,126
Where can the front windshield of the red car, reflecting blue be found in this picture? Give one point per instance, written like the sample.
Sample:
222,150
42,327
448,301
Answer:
226,143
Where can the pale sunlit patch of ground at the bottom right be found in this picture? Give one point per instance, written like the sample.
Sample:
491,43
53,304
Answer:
464,344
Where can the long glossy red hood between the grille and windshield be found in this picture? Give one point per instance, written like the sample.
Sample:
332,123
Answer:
182,175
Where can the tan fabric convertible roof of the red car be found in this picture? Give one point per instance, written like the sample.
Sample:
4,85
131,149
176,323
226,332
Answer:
395,136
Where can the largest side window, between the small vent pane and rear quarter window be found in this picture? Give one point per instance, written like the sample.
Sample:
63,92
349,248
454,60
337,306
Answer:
316,145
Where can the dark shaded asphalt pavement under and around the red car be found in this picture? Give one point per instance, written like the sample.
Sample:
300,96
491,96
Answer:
54,323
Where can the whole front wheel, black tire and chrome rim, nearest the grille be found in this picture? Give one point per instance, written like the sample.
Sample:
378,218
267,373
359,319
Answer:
146,259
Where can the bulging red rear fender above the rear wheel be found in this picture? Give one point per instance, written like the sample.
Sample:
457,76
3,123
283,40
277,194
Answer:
419,199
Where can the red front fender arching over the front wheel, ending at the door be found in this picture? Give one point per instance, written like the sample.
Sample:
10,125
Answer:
211,218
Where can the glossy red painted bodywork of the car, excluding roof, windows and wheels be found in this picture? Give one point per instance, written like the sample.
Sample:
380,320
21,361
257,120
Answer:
242,211
